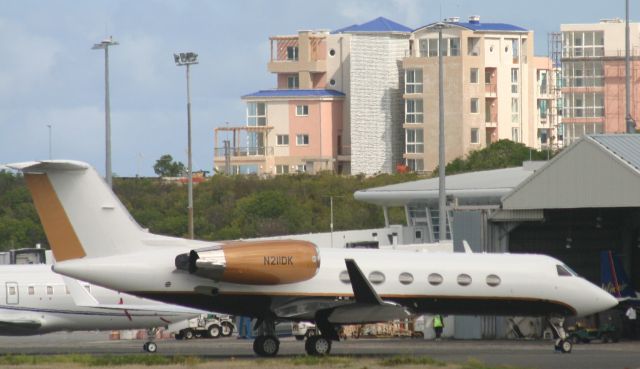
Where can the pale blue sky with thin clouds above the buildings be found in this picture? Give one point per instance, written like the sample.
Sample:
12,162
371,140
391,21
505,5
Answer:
50,76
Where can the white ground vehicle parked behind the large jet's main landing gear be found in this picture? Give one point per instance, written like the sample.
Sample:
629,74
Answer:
206,325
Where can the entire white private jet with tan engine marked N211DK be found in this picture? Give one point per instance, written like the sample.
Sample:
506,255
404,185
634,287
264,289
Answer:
94,238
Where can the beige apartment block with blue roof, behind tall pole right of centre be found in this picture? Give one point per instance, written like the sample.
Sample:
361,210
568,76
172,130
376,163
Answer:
492,90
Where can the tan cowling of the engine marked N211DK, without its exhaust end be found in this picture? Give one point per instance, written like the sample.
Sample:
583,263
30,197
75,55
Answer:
270,262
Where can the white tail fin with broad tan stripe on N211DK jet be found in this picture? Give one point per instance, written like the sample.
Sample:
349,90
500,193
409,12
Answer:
80,214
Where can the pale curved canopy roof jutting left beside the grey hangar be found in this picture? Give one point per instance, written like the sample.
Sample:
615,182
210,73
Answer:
475,188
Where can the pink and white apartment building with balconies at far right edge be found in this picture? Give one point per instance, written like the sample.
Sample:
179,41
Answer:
593,71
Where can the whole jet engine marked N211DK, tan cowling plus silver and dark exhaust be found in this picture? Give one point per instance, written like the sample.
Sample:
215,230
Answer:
257,263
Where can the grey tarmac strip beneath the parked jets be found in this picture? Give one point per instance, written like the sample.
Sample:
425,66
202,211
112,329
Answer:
522,354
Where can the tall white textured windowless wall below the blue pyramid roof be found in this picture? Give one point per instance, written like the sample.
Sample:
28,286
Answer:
376,106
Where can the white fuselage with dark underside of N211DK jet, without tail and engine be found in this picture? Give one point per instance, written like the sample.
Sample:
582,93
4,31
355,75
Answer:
498,284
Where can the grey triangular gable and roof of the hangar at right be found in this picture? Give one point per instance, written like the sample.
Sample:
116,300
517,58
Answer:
599,171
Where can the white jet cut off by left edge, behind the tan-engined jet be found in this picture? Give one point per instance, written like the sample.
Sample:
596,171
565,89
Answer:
34,300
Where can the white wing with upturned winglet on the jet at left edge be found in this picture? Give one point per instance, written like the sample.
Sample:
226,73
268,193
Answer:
82,297
